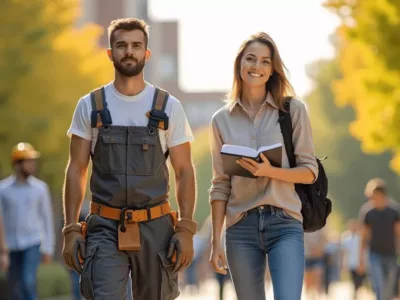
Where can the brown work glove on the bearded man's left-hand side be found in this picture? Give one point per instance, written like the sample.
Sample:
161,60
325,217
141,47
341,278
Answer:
74,246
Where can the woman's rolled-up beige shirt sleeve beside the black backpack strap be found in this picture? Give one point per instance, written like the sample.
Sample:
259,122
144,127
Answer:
302,137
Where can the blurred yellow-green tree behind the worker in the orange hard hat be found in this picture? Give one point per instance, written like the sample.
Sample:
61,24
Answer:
39,100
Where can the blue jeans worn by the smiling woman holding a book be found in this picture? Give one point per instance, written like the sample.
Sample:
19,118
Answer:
266,230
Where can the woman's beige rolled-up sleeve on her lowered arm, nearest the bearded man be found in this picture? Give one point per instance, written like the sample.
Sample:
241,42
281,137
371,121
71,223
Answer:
221,183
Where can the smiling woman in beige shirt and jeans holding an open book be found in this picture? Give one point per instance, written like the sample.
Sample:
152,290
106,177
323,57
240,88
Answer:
262,215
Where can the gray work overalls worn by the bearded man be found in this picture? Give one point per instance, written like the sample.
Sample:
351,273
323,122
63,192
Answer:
129,170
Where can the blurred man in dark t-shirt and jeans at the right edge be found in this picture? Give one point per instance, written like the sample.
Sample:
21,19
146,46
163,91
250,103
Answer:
380,233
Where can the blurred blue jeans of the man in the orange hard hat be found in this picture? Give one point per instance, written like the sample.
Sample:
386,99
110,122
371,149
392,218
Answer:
23,273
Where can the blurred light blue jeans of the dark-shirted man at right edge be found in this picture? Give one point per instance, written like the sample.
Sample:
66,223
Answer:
383,275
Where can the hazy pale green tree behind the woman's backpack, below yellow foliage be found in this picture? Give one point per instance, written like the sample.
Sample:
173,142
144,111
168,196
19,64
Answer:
348,168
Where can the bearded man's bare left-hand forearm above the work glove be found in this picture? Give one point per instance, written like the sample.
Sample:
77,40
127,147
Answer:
74,191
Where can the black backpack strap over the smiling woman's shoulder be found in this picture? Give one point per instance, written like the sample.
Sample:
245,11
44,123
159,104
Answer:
285,122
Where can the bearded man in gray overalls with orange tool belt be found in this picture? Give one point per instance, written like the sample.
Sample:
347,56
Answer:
129,128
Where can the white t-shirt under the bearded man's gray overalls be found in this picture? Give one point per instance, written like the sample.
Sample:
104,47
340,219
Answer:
131,111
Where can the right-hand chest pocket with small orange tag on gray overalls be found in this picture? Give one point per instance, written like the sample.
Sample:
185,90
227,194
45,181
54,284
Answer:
143,155
